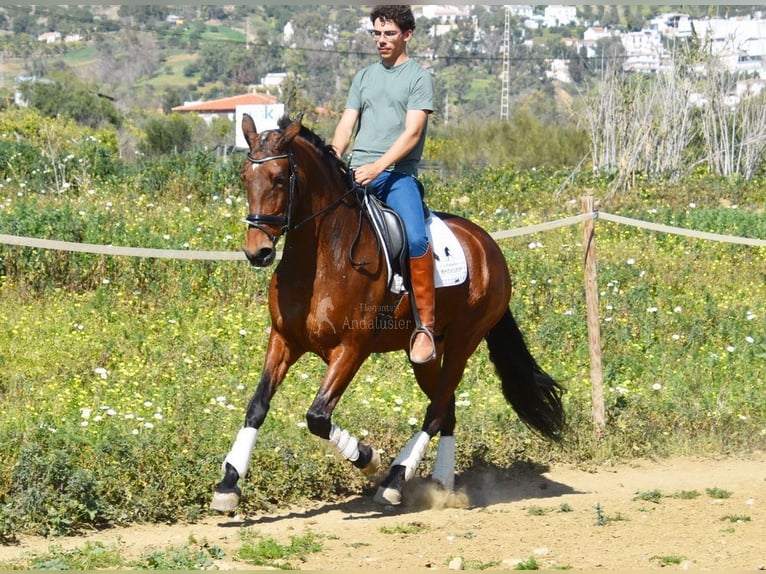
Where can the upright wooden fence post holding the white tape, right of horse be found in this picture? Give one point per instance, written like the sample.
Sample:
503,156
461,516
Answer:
594,328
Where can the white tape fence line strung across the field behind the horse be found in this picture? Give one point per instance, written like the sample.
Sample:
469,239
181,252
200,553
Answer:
120,251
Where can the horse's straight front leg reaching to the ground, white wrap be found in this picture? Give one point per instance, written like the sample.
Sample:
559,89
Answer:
227,493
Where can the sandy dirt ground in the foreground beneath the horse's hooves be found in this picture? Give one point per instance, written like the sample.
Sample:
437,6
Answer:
635,516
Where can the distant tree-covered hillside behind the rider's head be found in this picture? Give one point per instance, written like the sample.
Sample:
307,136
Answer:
155,56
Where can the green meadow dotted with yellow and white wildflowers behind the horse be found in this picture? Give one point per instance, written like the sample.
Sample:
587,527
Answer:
125,380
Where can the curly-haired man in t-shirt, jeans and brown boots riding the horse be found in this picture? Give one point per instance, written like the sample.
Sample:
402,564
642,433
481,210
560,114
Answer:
388,104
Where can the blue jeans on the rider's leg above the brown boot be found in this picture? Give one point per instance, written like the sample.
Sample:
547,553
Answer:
404,194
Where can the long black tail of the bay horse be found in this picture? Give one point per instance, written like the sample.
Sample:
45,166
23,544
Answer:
532,393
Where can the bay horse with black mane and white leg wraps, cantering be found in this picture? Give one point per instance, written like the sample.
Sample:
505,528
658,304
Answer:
330,295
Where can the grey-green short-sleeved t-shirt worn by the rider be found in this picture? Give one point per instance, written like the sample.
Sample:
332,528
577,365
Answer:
382,96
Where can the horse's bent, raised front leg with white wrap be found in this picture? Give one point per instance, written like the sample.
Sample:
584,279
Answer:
339,373
